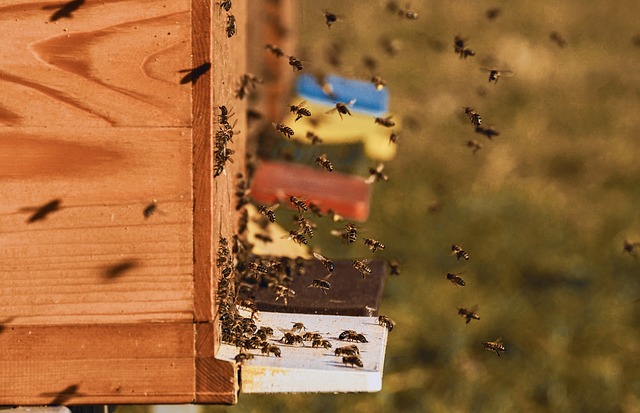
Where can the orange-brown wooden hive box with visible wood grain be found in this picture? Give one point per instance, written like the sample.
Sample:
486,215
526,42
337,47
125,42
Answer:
101,116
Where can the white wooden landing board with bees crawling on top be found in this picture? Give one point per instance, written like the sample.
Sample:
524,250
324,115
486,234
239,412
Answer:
307,369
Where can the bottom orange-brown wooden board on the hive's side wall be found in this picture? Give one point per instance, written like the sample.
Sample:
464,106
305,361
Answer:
87,364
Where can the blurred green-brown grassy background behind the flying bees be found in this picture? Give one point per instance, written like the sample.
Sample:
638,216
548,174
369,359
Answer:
543,209
